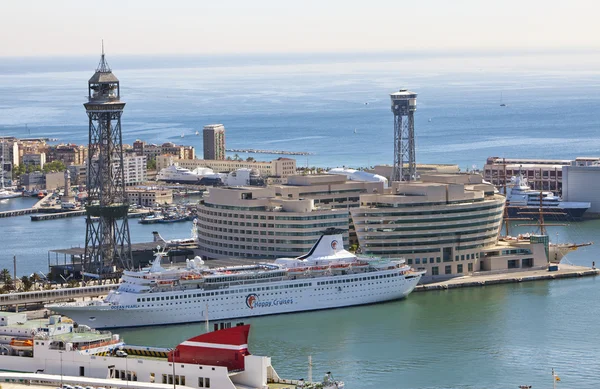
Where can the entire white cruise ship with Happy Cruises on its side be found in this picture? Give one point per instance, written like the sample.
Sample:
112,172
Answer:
327,277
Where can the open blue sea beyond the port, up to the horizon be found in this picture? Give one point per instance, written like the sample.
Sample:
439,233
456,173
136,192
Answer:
314,104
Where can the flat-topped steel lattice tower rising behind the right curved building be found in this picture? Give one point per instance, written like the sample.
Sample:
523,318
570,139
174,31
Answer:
404,104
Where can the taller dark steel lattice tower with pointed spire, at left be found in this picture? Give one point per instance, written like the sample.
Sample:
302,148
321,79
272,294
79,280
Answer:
107,240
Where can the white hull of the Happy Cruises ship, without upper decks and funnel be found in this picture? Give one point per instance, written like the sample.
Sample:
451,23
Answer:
258,299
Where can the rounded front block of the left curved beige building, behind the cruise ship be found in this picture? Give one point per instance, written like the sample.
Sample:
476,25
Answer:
247,222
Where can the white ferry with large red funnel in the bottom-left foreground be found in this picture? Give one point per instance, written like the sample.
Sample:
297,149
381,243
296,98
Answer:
59,346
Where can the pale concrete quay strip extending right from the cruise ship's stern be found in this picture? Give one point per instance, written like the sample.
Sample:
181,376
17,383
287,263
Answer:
564,271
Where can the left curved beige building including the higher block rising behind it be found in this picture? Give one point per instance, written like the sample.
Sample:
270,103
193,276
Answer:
277,221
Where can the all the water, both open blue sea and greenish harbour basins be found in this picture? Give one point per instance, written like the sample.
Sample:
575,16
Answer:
337,107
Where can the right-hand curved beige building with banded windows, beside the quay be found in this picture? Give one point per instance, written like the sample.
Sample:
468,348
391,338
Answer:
447,225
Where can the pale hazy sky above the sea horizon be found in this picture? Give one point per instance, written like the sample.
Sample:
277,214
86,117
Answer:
73,27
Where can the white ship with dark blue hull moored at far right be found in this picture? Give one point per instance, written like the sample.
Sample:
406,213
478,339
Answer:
522,201
